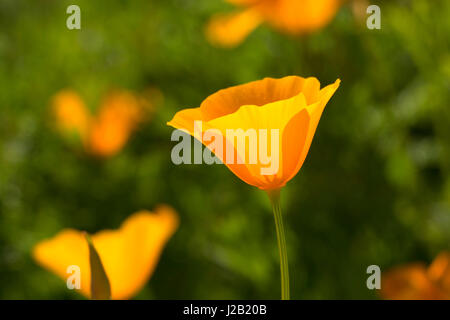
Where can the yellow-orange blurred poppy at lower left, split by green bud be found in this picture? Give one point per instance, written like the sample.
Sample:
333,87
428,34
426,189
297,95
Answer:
129,255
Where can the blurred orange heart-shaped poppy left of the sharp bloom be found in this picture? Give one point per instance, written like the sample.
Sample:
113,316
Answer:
107,133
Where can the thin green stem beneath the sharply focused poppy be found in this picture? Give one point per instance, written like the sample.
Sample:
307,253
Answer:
274,196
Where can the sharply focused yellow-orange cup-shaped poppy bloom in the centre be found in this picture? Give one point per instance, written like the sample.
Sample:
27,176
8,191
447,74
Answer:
261,130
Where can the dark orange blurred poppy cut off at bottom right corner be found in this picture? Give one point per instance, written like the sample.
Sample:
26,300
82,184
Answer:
417,282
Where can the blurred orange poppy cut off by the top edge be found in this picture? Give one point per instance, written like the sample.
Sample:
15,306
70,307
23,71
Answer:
289,16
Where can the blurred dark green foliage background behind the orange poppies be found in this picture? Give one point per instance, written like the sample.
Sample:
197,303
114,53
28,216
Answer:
375,188
